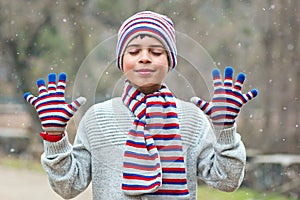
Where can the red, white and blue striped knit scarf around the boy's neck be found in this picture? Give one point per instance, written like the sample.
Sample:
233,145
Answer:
153,158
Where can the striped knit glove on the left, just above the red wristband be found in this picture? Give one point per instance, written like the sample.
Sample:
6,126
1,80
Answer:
51,105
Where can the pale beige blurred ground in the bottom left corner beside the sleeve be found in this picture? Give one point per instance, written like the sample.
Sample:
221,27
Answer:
25,184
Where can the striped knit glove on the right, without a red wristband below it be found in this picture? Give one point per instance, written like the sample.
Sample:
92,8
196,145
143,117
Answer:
227,100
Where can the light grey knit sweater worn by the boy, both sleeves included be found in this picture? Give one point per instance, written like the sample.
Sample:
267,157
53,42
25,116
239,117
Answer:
218,159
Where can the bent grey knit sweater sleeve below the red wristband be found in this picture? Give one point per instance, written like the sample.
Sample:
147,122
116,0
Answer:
68,167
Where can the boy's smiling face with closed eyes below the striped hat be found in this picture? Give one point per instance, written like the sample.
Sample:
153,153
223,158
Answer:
145,63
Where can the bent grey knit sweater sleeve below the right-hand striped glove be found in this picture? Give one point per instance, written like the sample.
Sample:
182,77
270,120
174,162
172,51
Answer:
221,157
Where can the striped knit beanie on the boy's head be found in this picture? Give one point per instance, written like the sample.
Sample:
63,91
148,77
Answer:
149,23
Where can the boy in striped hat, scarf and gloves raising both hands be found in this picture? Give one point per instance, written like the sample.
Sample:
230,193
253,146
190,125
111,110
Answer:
146,144
